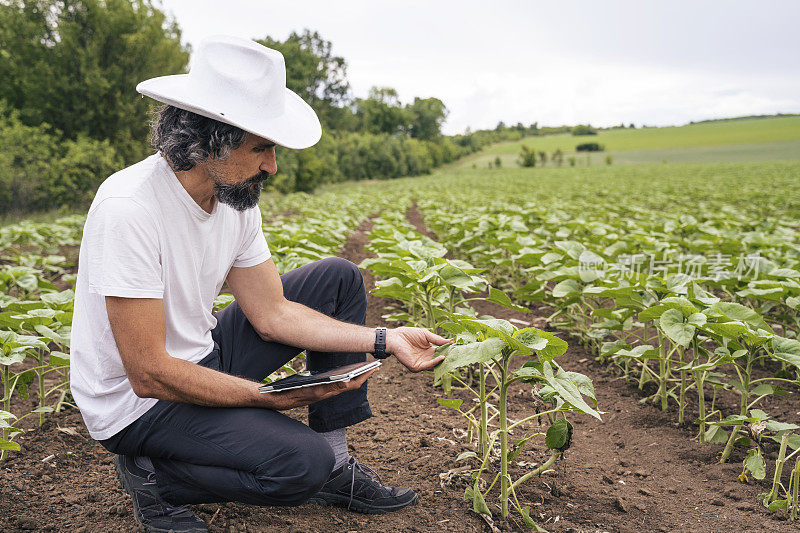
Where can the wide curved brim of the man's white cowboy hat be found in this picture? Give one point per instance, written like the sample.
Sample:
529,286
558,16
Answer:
298,127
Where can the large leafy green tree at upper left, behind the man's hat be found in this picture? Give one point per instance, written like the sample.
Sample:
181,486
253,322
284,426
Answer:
74,64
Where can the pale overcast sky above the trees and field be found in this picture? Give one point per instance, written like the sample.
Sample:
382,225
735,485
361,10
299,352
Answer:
551,62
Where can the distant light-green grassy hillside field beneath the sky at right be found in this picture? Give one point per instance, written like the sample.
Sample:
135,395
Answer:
758,139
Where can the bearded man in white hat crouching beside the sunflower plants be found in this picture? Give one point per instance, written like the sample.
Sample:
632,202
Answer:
173,389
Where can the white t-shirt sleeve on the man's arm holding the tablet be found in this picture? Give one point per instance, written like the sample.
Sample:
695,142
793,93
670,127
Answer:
123,251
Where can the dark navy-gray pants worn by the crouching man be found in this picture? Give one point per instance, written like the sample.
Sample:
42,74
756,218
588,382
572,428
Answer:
257,456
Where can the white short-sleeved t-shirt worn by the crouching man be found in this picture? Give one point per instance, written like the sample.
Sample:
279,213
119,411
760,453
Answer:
145,237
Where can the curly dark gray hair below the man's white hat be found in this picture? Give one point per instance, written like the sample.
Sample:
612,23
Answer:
186,138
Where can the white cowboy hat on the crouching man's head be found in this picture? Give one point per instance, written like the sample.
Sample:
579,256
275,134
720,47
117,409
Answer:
242,83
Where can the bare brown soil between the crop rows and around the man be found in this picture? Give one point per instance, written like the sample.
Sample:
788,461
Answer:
634,471
